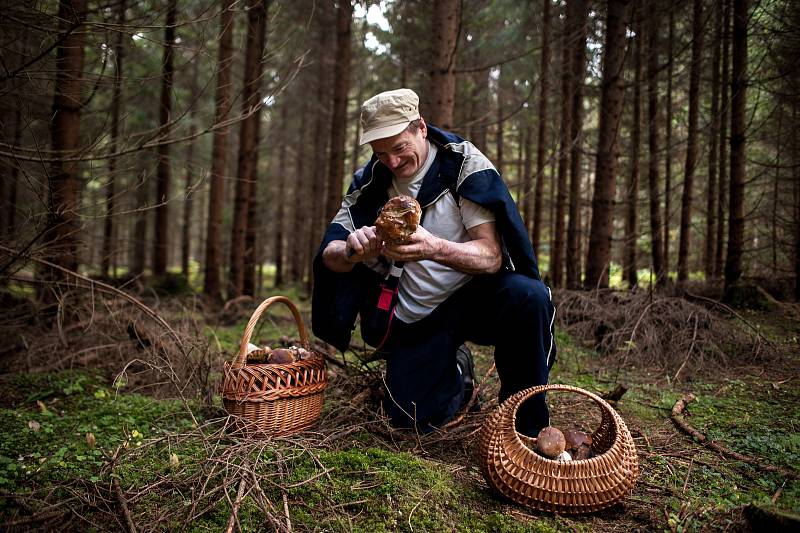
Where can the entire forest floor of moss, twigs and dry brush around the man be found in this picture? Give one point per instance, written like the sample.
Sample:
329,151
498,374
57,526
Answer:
110,423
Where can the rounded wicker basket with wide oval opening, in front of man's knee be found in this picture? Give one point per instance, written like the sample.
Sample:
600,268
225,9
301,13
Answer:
565,487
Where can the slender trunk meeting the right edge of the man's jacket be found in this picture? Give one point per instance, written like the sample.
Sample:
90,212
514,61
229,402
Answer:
541,148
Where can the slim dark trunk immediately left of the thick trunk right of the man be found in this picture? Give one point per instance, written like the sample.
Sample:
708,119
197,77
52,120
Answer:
576,137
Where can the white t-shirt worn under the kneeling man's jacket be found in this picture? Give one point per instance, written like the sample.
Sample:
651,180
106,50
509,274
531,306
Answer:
426,284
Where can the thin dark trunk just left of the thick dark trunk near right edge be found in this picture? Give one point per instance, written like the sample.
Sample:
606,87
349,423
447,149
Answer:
723,139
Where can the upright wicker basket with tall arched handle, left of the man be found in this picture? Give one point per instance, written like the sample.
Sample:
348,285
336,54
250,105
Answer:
274,399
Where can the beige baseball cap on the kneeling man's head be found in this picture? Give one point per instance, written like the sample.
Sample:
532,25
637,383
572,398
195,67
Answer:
387,114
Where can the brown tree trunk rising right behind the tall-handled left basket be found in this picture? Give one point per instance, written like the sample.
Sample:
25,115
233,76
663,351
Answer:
254,72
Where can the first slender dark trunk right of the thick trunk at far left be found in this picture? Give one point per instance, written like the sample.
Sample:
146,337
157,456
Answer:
116,104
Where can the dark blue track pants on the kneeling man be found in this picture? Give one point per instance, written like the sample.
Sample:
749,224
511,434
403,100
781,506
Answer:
507,310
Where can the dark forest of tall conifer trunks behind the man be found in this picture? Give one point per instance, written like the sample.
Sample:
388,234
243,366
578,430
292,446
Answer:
646,143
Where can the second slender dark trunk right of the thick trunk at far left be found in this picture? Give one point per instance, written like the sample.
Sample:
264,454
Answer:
161,242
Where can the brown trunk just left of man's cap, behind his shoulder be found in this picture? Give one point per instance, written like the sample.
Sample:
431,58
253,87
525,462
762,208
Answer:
341,85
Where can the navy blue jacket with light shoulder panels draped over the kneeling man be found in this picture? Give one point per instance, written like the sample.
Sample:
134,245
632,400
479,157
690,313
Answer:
337,297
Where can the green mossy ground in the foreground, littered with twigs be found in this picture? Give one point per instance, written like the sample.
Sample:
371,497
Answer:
70,438
